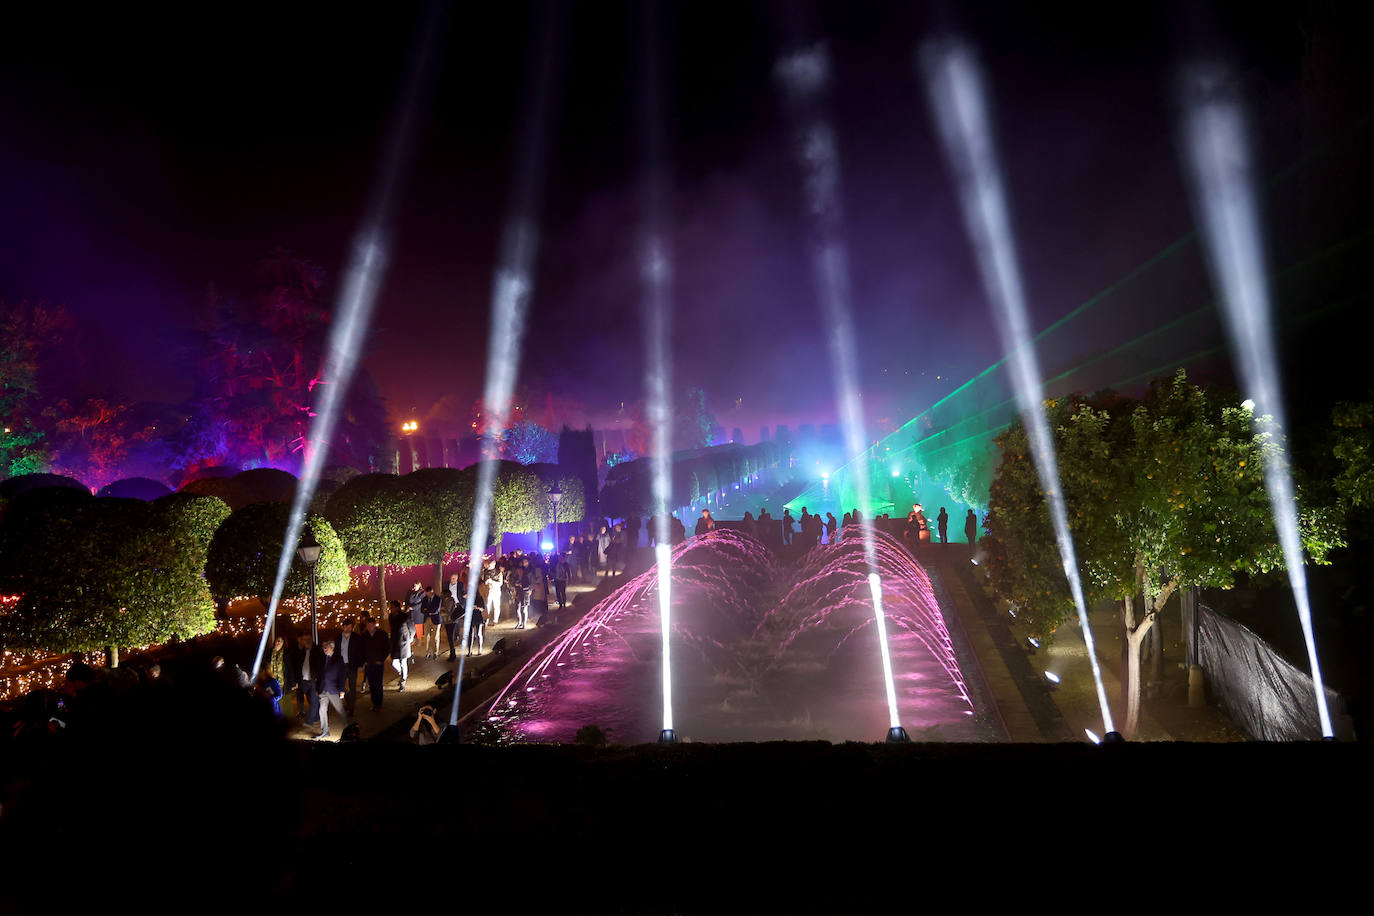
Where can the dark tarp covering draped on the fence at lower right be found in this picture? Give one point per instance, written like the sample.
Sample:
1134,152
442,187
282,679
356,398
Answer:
1263,694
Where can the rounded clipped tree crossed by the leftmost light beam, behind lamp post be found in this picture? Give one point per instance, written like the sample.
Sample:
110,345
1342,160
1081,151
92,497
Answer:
247,549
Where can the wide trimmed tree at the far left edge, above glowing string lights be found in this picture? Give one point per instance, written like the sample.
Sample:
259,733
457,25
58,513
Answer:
106,573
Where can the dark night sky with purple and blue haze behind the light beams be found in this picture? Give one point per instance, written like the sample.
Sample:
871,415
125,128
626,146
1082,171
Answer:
145,156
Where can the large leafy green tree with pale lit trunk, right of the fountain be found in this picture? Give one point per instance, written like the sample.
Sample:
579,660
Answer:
1162,494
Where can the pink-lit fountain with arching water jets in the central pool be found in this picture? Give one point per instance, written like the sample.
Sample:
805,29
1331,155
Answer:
761,653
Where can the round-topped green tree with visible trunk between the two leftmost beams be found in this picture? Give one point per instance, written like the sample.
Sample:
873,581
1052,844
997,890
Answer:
376,517
